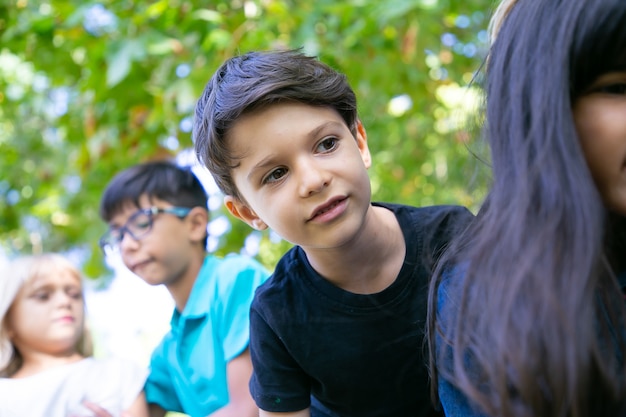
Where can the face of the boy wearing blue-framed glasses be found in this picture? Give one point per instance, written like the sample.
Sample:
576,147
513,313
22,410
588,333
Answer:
163,254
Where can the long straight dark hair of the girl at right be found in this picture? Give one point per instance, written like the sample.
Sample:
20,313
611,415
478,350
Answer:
537,322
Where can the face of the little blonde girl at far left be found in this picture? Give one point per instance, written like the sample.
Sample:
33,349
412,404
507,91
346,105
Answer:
47,315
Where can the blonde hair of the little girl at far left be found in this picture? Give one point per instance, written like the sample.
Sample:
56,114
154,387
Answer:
13,275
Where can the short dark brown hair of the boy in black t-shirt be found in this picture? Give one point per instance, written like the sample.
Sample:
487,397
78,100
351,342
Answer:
256,80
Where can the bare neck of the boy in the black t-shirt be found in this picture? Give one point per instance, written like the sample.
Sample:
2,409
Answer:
369,263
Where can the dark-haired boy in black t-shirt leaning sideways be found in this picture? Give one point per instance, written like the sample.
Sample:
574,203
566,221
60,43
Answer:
338,330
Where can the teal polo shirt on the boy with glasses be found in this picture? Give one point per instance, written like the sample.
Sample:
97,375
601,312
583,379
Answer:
188,368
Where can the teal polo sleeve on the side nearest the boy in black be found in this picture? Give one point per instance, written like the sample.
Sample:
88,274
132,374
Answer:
239,278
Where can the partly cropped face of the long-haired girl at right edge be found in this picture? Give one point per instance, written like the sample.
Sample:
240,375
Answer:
600,117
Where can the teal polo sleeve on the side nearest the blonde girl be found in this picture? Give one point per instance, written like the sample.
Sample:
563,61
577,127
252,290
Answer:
159,386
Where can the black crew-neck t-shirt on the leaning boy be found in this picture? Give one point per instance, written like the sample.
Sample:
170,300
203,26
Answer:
344,354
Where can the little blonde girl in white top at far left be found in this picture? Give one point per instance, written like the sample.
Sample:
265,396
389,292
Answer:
46,368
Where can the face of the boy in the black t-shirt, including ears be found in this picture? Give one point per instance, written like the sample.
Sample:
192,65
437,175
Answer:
302,173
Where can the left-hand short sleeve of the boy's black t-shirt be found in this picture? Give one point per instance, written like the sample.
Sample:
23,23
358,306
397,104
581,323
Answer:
278,383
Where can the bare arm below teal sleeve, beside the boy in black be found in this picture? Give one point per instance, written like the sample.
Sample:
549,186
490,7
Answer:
241,404
